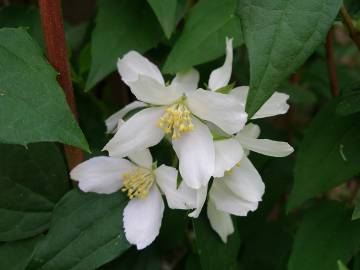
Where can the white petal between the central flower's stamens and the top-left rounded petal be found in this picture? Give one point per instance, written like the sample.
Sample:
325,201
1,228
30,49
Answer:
150,91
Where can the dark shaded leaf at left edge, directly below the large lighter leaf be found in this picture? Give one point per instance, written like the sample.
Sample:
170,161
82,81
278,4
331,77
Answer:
31,181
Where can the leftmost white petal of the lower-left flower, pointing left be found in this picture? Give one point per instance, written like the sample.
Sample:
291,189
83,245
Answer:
101,174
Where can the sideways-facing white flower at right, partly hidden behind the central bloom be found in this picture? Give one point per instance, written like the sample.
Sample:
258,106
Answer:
237,187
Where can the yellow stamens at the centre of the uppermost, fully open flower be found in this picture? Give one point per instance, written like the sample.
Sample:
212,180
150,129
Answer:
176,120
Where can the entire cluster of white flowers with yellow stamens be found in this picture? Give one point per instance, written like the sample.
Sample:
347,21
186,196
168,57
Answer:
192,120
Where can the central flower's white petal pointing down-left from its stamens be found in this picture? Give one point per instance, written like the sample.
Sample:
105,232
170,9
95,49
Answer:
137,133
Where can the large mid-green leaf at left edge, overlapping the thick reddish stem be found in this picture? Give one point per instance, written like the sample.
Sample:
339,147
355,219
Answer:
32,105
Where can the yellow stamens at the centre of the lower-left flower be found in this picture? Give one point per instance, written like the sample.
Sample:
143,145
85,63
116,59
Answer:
138,183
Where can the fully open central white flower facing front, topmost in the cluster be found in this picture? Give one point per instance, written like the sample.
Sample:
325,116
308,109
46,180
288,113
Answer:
178,109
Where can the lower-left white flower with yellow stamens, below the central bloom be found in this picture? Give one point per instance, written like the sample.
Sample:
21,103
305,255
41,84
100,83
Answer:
143,184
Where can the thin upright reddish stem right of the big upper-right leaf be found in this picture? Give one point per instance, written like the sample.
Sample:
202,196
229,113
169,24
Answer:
331,65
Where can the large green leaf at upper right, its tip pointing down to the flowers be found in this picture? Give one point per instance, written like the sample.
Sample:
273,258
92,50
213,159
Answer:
280,35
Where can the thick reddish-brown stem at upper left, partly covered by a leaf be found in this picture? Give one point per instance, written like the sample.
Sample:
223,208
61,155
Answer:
56,50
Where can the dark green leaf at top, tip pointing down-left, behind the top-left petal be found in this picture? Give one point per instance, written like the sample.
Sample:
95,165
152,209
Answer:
121,26
